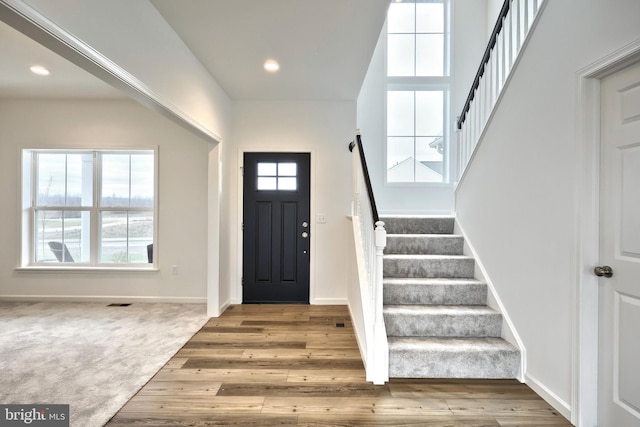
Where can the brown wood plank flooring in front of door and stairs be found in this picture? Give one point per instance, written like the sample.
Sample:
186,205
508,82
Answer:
262,365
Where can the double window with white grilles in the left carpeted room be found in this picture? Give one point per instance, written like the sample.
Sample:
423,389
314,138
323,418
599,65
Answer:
92,208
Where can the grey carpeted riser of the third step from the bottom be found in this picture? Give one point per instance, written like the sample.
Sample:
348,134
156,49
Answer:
416,294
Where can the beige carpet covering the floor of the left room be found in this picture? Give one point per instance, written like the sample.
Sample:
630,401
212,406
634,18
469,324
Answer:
88,355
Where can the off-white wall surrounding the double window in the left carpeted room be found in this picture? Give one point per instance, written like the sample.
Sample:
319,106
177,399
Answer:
182,184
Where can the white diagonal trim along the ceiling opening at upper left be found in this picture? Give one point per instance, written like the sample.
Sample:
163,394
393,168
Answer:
30,22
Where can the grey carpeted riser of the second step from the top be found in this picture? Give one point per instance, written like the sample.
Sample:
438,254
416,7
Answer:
445,245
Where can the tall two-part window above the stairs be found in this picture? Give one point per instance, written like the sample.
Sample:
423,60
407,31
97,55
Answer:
417,91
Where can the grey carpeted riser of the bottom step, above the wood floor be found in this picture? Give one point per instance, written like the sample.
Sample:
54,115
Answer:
434,364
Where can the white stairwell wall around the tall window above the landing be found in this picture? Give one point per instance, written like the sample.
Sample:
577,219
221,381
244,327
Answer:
468,42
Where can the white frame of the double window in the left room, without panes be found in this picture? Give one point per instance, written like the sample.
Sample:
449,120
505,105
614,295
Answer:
28,207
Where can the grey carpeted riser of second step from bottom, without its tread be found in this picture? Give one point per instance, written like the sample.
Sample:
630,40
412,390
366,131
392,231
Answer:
462,326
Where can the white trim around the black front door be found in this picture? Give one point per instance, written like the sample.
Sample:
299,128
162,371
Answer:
237,298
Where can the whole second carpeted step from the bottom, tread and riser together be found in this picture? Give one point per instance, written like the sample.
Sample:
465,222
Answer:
442,321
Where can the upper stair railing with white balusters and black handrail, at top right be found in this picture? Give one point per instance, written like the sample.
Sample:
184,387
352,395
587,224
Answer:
516,20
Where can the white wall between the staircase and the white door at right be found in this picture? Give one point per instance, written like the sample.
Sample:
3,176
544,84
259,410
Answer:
518,201
